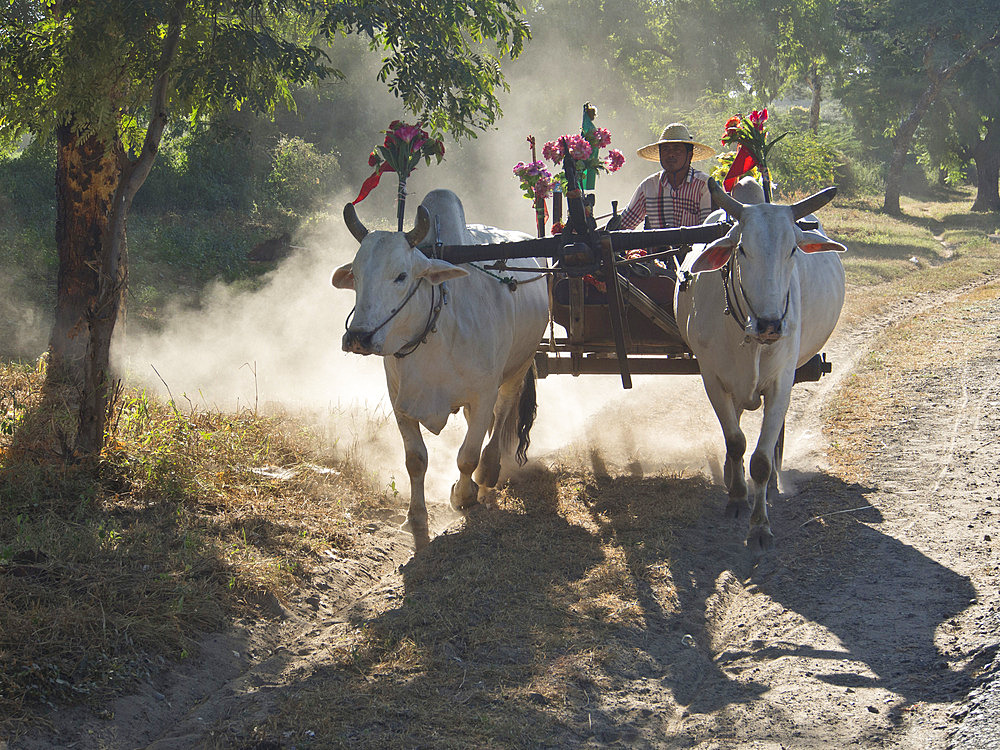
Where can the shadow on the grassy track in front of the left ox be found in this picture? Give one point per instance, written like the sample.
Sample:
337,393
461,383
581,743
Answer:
533,620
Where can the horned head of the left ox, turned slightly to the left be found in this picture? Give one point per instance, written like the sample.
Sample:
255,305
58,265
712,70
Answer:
391,279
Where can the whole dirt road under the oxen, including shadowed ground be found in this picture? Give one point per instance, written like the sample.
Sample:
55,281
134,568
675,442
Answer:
584,612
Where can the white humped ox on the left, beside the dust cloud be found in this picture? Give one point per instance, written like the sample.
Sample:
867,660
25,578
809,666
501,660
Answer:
451,337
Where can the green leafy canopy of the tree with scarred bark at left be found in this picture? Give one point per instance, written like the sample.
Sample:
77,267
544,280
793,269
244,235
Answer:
95,63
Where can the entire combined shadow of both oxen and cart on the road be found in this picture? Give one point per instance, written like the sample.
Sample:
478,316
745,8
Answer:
532,624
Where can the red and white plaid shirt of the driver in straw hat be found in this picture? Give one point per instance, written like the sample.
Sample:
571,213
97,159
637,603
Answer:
656,200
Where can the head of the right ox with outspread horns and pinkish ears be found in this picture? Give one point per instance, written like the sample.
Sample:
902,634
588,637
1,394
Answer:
763,245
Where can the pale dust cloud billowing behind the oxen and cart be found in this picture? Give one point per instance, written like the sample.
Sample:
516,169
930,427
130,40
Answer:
278,347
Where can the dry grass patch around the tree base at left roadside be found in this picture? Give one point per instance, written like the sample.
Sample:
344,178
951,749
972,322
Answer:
189,520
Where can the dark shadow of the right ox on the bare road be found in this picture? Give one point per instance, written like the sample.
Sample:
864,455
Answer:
882,598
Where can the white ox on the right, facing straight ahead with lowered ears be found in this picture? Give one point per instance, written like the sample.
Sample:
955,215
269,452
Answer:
772,307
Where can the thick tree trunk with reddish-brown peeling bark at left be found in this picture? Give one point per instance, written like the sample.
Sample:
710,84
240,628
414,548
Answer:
92,270
